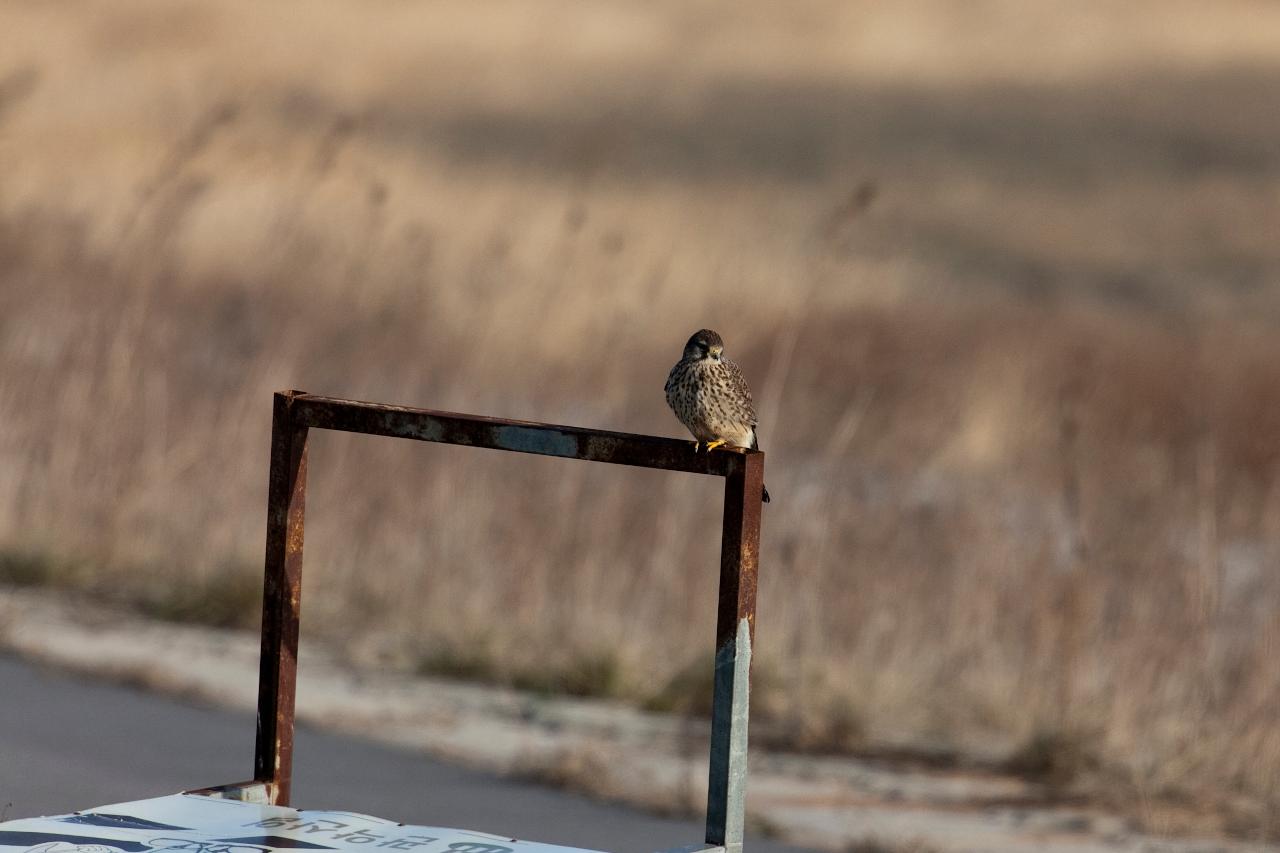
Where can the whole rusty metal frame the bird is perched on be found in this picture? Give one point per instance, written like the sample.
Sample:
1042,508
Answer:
296,413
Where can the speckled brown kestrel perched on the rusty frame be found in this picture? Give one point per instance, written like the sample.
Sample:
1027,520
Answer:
710,396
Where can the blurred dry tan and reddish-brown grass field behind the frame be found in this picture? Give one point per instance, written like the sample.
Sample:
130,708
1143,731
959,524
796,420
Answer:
1004,279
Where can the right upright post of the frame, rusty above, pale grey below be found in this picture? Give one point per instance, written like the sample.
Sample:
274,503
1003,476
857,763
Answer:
735,633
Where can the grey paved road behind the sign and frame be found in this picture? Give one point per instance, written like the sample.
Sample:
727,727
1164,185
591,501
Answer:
67,745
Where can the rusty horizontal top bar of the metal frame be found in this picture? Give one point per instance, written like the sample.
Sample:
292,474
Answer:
516,436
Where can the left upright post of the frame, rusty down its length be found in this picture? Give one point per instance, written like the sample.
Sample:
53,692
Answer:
273,758
